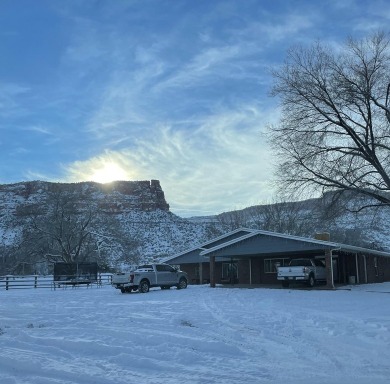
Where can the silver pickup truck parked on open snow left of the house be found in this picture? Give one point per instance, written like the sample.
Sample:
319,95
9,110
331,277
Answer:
151,275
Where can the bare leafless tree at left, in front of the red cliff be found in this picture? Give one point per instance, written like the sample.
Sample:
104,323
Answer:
73,229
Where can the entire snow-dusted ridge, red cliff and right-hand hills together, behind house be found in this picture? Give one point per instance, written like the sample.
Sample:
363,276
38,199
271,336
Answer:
138,213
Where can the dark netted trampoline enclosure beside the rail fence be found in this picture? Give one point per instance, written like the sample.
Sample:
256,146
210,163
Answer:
75,273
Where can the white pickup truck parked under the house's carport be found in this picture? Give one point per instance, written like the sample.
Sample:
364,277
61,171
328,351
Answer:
302,270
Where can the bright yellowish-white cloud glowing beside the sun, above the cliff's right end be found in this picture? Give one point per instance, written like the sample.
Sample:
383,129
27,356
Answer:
221,164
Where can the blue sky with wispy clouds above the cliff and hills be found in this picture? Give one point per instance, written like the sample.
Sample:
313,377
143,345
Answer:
175,90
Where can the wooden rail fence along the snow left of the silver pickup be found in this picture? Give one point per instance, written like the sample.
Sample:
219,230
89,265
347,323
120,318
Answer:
39,281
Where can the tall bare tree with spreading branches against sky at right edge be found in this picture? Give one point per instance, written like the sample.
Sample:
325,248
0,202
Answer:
334,134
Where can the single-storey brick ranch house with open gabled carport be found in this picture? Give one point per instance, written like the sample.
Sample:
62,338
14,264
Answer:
250,257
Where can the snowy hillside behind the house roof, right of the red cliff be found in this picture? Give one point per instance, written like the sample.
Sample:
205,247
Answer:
342,219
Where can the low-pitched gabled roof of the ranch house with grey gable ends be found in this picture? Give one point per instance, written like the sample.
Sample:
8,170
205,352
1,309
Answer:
244,242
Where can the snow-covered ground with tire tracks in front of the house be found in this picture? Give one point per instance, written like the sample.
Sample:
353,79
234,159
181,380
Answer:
197,335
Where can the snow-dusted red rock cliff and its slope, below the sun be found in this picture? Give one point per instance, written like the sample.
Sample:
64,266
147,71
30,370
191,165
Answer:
138,208
